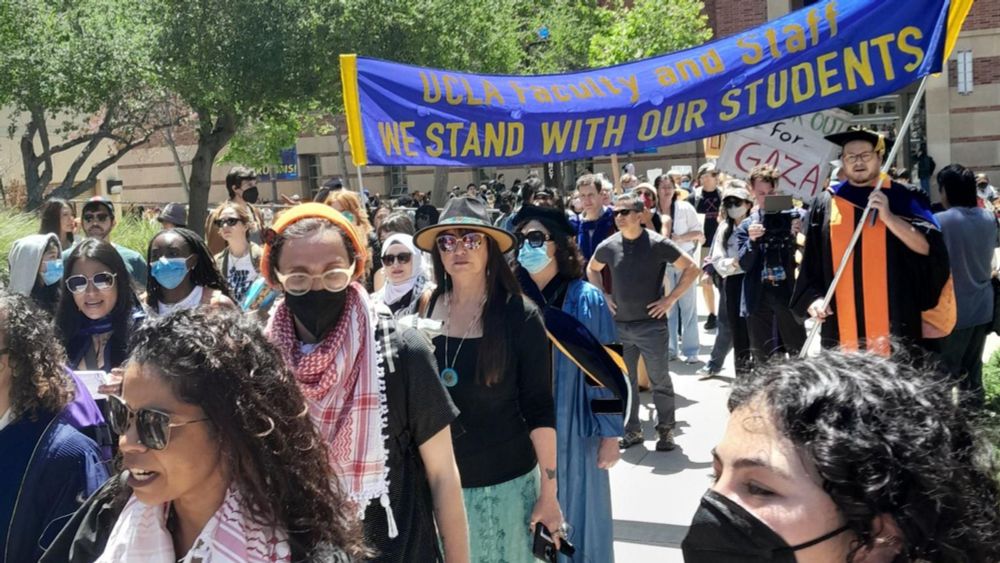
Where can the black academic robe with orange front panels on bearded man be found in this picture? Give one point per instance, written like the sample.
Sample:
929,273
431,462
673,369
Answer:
886,286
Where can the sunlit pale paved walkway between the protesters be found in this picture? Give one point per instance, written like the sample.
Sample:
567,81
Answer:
654,494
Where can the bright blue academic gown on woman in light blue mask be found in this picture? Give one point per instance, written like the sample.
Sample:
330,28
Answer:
584,489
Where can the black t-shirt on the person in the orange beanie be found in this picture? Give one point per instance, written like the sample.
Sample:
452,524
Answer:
419,408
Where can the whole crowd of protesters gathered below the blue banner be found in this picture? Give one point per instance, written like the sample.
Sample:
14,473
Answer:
356,380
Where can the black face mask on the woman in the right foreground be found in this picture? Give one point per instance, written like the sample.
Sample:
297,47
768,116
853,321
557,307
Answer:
724,532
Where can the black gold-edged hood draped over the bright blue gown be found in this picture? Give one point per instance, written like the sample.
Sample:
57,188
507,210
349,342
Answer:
603,366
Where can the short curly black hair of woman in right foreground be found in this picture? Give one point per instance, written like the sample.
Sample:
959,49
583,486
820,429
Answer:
887,438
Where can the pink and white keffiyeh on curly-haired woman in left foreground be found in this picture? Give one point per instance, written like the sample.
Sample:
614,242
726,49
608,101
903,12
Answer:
140,536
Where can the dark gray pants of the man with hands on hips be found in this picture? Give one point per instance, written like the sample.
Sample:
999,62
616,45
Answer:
648,339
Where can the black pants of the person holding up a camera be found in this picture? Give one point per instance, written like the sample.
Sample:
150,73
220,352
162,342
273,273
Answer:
773,327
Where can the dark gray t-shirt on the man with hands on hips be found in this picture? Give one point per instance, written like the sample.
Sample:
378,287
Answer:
637,268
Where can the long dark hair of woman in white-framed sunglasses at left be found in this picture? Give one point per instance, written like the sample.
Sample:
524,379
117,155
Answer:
69,318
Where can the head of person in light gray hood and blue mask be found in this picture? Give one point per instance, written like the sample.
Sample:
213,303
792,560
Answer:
35,265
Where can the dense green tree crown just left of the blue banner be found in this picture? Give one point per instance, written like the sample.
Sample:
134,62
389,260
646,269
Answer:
251,58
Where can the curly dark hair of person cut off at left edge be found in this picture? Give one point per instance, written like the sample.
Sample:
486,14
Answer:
39,383
